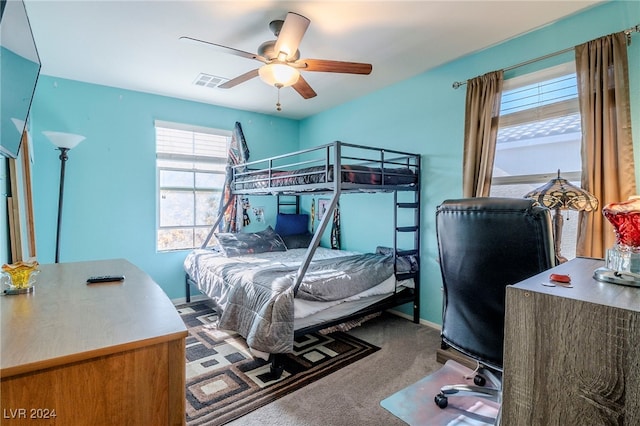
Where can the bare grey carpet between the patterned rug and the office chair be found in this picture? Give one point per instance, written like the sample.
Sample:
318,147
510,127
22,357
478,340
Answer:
352,395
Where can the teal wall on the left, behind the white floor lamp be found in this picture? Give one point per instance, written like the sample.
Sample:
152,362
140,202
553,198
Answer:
110,185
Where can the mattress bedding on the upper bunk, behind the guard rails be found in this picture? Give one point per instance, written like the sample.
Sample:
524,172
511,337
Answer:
320,174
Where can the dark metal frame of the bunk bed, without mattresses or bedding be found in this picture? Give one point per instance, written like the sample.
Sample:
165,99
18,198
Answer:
264,173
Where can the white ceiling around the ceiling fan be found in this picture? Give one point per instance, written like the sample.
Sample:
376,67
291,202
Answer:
135,44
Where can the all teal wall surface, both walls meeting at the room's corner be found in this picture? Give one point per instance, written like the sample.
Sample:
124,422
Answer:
110,199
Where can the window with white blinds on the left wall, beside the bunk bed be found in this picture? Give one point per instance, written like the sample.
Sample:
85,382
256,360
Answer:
190,163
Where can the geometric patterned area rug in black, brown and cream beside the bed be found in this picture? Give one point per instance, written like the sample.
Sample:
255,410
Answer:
225,382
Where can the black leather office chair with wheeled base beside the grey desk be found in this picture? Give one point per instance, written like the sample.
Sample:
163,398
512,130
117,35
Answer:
484,245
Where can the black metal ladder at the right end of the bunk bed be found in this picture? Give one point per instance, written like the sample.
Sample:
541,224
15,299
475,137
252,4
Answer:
408,234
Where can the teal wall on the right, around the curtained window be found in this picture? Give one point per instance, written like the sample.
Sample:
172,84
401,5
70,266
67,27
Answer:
425,115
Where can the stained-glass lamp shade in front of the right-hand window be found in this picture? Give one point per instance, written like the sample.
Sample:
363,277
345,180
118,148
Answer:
559,193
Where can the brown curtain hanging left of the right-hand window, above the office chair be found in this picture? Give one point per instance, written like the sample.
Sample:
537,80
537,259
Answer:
480,133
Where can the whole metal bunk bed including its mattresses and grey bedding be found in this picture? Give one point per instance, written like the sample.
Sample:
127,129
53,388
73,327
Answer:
333,169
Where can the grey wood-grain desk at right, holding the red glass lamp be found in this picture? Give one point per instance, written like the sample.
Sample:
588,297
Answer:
572,355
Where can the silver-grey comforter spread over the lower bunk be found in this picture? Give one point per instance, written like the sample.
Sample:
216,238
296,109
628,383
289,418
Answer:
255,292
